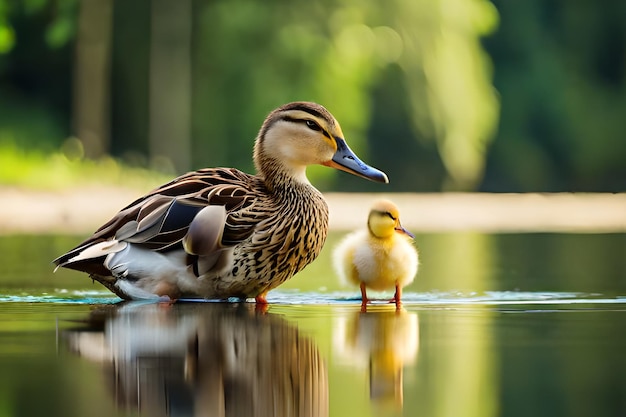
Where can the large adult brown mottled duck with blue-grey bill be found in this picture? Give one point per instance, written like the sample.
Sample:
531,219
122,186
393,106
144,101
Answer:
220,233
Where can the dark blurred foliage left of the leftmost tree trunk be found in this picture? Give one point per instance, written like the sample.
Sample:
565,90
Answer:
35,74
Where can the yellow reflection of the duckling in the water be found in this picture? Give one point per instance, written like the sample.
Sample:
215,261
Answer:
381,342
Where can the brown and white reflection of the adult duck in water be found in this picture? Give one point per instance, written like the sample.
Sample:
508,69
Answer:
205,359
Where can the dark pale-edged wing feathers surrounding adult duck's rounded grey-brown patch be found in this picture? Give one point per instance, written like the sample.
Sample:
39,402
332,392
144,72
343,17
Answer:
160,219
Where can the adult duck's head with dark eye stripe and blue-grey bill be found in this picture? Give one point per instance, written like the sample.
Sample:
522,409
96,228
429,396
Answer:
300,134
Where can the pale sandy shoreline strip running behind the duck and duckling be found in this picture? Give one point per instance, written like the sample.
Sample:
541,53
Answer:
83,210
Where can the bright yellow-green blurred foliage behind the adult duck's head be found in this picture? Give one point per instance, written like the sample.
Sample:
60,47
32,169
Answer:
340,54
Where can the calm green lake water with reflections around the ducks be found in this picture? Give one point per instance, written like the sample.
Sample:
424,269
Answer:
494,325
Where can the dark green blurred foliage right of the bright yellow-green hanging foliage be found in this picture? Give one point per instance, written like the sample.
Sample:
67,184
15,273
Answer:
560,68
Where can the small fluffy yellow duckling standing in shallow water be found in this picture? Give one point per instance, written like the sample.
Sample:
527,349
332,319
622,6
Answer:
380,257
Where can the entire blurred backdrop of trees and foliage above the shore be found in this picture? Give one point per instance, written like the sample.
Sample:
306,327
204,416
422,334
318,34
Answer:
440,94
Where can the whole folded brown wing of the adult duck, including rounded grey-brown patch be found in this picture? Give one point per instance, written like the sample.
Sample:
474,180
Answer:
218,204
